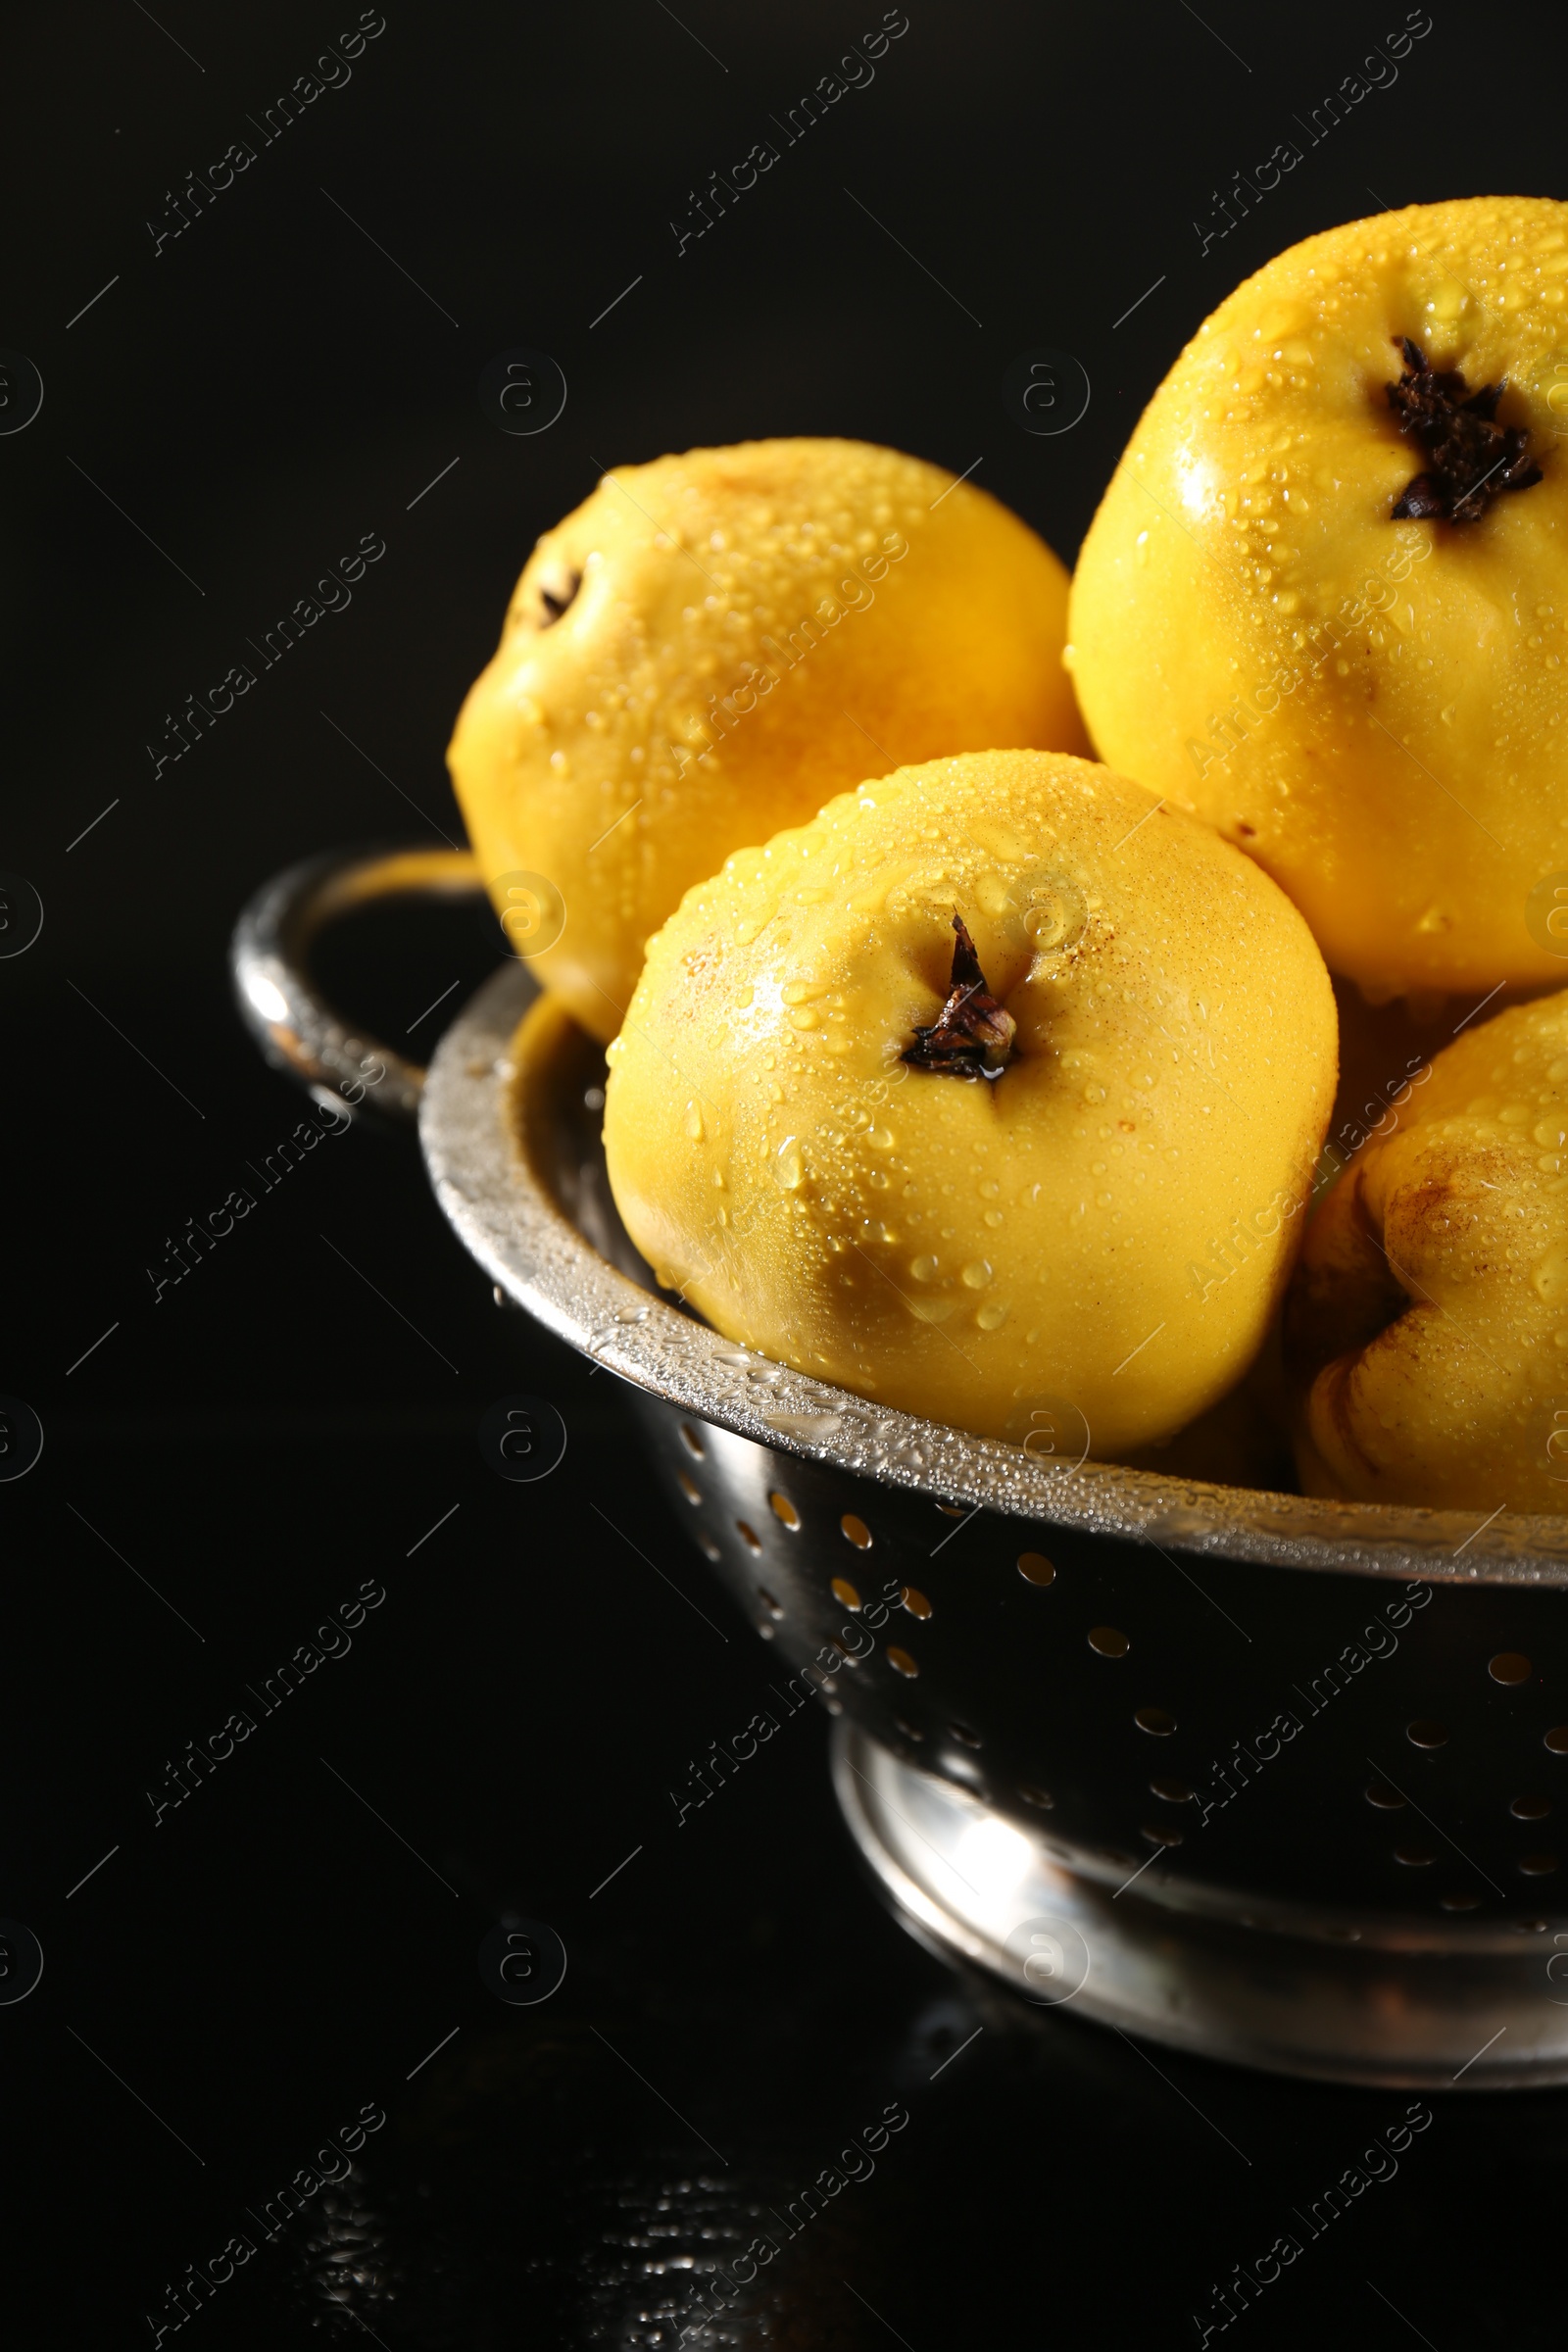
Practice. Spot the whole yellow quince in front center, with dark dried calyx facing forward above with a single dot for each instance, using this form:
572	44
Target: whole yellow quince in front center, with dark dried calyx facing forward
991	1095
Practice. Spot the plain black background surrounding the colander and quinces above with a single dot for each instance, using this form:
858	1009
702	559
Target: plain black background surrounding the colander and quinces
232	1462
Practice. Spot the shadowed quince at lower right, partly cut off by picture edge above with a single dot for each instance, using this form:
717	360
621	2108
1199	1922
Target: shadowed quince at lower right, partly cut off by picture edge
1428	1323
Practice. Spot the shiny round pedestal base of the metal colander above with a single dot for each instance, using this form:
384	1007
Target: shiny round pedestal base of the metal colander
1381	2003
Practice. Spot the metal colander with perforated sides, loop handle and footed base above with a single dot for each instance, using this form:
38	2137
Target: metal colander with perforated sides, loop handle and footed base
1273	1779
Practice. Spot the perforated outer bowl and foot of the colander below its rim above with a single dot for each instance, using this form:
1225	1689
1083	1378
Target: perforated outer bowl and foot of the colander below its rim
993	1737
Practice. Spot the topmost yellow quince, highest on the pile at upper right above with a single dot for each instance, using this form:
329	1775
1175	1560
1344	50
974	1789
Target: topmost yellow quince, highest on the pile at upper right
1325	601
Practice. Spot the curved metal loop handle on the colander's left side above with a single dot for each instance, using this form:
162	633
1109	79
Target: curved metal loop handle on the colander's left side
297	1029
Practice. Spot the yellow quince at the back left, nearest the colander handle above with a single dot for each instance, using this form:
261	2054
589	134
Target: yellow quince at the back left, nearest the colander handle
713	646
